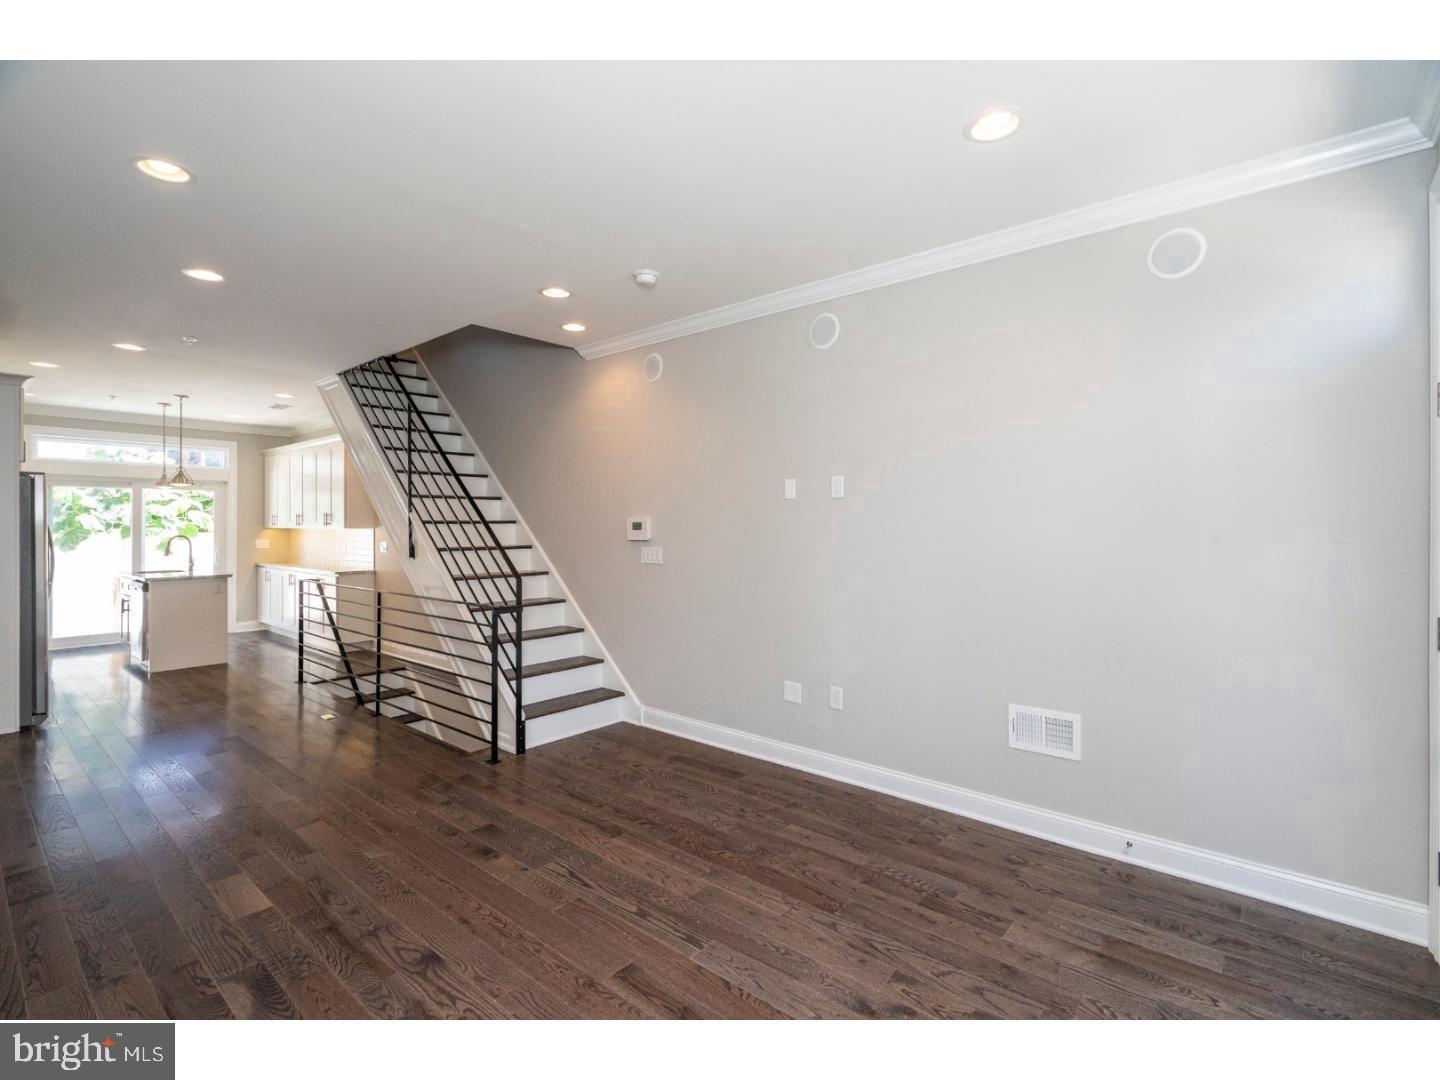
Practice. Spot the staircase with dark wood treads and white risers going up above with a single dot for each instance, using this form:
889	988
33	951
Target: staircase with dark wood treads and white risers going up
477	575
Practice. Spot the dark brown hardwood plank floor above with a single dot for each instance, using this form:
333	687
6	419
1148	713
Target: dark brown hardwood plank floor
205	845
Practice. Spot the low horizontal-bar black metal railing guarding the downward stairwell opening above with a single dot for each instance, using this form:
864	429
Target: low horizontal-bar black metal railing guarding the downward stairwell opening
378	647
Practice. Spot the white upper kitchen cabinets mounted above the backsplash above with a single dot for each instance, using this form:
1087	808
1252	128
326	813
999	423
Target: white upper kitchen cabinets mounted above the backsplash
310	486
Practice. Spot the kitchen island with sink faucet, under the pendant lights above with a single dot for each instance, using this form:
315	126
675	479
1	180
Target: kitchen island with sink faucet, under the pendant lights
178	620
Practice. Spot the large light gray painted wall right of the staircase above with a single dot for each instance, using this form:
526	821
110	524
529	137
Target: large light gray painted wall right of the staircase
1193	510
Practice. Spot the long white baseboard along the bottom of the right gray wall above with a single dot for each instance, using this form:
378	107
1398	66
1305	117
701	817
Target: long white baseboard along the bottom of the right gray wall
1387	915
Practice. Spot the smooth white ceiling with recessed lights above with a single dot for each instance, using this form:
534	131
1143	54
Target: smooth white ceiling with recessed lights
364	208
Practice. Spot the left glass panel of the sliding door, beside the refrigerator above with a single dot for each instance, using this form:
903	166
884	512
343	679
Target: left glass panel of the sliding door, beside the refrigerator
91	528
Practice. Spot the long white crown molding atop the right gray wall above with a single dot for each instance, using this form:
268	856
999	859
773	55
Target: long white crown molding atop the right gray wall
1291	166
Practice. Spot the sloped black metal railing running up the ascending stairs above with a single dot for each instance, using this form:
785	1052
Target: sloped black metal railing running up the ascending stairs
451	516
